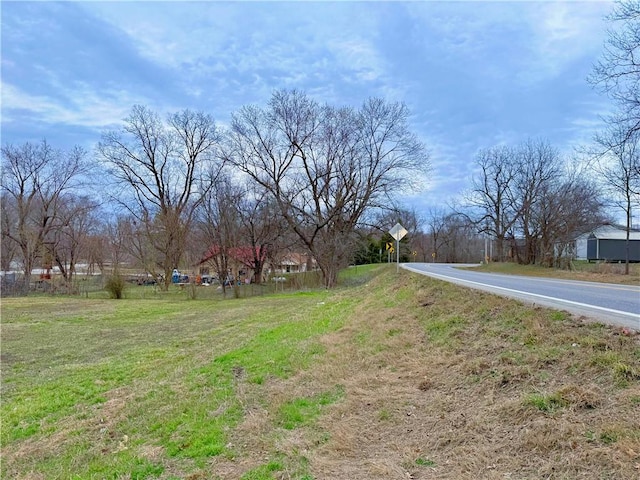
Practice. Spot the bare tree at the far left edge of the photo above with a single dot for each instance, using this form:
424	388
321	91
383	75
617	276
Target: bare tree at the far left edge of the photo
35	178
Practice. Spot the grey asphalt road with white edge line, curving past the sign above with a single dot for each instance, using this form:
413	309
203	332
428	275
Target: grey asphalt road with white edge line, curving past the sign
605	302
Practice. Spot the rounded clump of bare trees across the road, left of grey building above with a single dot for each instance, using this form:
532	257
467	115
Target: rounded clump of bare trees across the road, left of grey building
527	194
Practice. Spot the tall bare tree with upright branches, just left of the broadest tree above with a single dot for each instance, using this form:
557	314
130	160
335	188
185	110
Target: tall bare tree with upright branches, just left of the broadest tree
158	165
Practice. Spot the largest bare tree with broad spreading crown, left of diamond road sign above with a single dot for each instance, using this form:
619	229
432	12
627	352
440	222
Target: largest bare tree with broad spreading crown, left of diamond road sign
325	166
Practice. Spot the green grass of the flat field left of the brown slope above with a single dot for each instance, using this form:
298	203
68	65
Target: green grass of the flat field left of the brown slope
177	360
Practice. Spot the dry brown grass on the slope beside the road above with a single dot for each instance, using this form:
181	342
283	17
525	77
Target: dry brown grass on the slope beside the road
421	406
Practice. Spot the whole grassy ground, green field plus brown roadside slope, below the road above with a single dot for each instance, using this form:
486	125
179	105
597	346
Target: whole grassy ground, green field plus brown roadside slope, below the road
390	376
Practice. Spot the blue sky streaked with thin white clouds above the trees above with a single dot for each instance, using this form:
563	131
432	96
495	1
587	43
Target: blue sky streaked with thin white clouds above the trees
474	74
